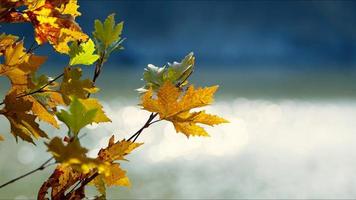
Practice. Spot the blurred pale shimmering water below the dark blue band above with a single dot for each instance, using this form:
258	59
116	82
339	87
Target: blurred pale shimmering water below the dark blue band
289	137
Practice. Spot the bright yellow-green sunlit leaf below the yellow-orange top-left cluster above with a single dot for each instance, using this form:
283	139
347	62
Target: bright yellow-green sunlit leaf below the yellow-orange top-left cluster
82	54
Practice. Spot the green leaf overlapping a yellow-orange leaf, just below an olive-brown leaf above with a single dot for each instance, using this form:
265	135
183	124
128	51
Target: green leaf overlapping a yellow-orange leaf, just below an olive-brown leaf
77	117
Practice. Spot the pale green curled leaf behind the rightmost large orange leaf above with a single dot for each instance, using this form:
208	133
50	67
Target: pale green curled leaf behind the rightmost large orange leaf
176	73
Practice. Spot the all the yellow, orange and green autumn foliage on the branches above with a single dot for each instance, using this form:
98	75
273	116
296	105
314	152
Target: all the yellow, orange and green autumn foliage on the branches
35	98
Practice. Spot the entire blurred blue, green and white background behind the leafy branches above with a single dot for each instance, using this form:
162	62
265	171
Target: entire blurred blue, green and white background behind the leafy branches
287	74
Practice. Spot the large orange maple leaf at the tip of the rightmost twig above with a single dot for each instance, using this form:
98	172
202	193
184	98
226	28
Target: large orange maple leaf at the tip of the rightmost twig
172	106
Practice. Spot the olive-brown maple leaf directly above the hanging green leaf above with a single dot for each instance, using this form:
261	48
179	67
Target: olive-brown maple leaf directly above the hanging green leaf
73	86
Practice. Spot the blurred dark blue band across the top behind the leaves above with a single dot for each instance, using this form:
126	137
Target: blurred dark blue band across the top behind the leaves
288	35
